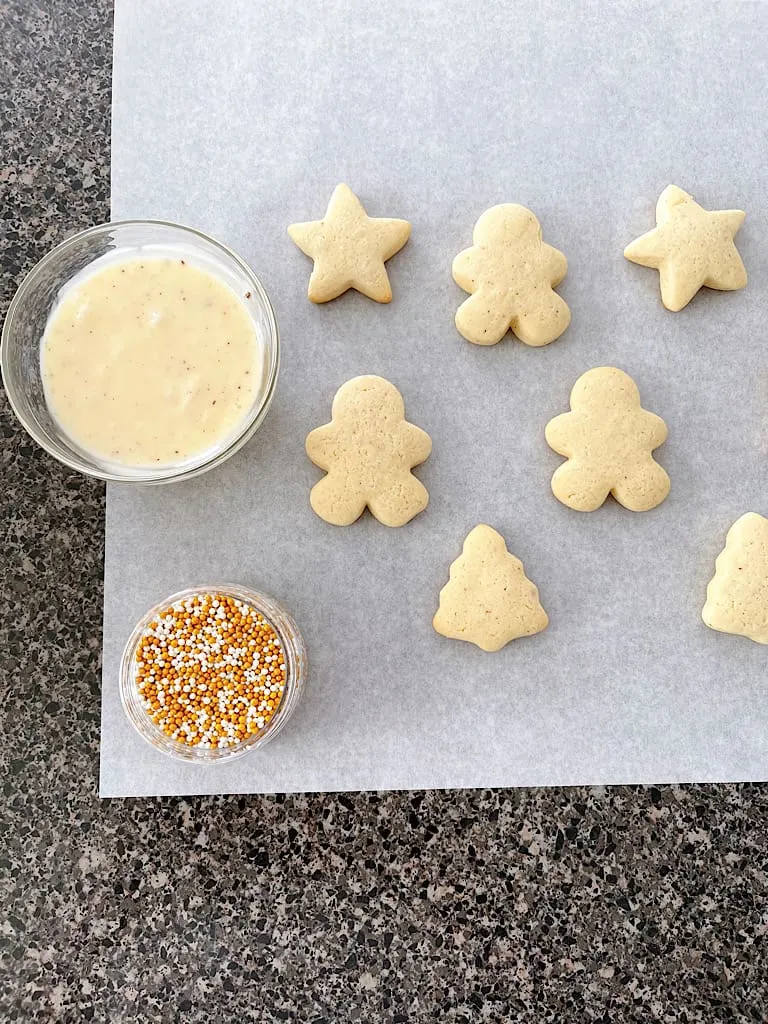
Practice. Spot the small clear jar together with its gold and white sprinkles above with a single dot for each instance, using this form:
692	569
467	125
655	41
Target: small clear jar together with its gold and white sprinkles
212	673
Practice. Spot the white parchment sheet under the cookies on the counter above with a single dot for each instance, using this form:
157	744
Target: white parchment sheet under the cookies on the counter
240	118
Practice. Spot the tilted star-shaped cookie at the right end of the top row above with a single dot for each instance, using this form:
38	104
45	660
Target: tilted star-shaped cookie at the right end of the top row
691	247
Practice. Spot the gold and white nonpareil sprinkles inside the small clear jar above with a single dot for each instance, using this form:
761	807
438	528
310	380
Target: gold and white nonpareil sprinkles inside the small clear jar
210	671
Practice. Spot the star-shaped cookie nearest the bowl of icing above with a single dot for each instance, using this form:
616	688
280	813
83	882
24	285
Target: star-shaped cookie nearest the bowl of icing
350	249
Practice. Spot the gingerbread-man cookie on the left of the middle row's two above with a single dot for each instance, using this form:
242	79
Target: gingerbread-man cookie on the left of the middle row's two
368	451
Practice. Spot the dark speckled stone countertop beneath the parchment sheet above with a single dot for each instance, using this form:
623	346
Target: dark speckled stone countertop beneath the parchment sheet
614	906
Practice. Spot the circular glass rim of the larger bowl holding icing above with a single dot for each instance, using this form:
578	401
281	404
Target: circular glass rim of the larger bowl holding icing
162	477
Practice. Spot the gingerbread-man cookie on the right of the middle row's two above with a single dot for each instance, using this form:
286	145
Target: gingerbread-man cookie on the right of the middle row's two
608	439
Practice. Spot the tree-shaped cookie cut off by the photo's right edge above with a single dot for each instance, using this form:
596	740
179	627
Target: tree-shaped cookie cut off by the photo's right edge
738	594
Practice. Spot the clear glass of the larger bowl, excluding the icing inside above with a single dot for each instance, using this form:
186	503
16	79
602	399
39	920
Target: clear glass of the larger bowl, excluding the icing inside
25	325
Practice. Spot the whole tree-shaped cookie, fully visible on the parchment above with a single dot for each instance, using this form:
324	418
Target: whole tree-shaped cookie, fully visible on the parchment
489	601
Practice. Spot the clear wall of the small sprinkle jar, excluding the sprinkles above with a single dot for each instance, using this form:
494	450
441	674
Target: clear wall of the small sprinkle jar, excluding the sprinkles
296	671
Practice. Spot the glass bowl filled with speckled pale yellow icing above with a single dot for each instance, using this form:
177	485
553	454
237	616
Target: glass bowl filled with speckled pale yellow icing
141	352
